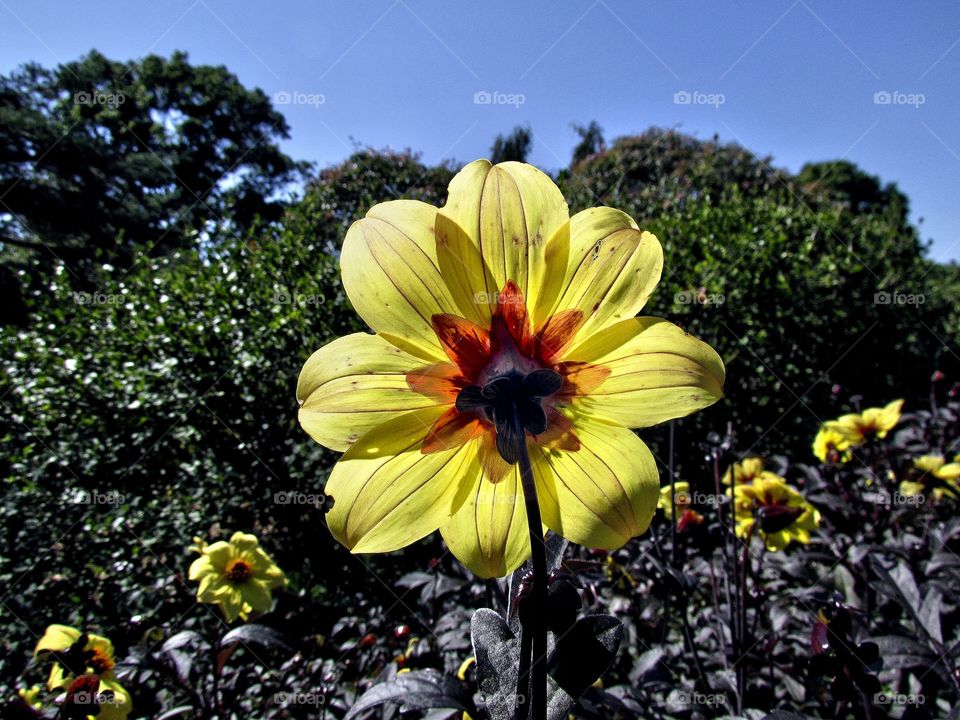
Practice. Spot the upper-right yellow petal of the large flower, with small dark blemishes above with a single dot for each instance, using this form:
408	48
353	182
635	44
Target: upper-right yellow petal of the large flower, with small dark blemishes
612	268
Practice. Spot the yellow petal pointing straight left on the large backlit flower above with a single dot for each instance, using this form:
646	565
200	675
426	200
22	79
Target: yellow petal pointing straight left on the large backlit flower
353	384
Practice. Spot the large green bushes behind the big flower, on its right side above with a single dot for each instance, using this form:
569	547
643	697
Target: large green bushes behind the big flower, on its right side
797	291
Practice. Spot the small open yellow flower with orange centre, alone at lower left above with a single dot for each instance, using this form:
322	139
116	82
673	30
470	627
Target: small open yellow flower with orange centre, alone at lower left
237	575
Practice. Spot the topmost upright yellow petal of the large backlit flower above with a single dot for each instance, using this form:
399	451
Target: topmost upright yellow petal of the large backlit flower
509	212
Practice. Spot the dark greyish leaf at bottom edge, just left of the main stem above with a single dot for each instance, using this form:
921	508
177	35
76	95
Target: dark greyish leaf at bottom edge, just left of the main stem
416	690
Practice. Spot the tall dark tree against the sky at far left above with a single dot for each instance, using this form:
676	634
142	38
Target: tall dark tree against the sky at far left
100	158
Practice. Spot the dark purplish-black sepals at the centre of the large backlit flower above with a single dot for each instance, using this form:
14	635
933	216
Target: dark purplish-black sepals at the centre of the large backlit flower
514	404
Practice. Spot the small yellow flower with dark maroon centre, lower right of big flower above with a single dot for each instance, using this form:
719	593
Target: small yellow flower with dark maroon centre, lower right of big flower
775	509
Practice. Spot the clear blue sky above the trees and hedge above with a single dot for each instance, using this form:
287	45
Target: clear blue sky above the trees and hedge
795	79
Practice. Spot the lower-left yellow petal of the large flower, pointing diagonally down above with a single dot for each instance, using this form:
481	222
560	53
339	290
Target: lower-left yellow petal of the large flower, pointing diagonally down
387	494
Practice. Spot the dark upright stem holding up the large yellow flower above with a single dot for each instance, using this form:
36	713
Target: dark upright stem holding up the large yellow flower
537	616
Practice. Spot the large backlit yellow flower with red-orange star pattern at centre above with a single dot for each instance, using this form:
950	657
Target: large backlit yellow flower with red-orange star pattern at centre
498	299
